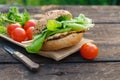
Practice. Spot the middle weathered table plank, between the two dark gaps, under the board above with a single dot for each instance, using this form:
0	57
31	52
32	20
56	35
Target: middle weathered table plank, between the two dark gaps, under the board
106	36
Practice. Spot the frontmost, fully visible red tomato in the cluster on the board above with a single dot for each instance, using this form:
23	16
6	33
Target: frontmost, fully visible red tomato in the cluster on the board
19	34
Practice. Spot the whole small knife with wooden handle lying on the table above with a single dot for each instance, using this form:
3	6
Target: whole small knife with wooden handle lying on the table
22	58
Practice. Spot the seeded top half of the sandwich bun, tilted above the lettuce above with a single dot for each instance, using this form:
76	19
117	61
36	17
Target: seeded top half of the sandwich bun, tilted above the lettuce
50	15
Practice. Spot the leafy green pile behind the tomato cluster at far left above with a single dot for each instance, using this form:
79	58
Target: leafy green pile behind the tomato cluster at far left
12	16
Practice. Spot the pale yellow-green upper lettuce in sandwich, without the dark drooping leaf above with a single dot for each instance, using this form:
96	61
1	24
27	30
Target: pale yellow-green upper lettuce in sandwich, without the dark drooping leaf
78	23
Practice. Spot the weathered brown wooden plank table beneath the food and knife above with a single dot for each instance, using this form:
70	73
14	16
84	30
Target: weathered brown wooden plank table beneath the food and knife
105	34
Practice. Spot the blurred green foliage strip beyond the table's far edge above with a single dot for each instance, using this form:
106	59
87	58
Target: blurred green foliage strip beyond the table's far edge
59	2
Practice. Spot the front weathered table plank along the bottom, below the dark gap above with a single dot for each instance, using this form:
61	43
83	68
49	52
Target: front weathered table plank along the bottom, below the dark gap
87	71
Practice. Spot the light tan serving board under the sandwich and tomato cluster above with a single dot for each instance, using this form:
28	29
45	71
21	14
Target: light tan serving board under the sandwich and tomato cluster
56	55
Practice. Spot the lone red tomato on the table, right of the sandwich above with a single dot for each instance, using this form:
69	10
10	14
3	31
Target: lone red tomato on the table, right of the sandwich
89	51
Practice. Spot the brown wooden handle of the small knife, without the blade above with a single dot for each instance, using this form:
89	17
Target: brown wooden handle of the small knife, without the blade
24	59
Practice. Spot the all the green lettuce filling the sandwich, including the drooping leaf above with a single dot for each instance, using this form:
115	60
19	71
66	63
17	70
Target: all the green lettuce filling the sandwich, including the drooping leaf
59	26
